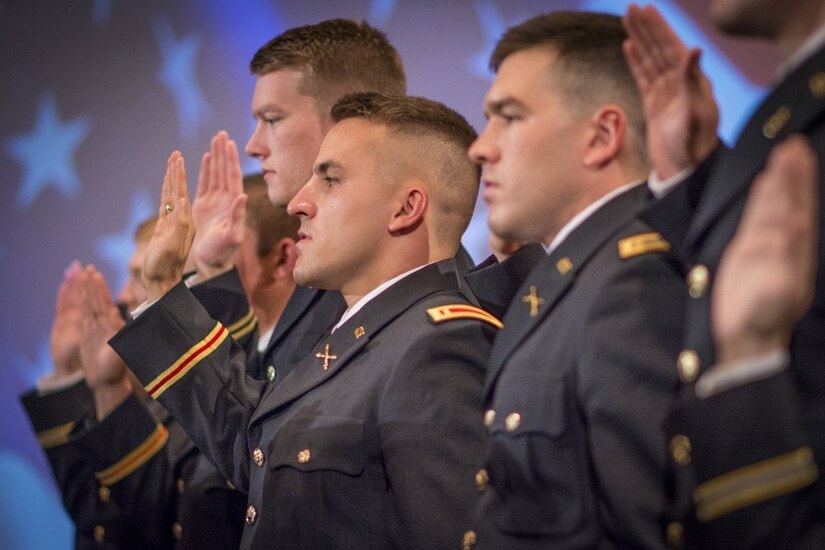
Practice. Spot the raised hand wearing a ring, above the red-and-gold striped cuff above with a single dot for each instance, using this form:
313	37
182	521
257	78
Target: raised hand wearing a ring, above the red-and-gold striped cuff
173	235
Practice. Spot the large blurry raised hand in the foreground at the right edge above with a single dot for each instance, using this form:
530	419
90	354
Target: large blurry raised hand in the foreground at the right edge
766	276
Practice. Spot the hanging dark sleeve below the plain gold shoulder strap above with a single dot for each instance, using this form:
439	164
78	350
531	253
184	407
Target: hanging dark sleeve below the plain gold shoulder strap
627	383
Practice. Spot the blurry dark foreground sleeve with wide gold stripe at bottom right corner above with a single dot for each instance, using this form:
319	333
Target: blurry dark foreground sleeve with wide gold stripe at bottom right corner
752	471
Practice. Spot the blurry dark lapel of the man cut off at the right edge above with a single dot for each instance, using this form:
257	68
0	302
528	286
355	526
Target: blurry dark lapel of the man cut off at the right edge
791	107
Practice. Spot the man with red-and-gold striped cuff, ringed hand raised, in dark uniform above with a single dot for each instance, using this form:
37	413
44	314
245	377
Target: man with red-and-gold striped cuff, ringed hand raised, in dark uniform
371	440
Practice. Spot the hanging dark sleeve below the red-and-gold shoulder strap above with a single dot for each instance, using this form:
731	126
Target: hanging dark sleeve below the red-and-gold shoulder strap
431	433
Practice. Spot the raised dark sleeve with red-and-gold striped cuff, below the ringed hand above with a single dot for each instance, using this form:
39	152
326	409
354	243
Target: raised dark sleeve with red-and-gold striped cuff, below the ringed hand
187	361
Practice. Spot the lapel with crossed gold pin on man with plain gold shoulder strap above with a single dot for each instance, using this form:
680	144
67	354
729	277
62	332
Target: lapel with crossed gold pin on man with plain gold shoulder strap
556	274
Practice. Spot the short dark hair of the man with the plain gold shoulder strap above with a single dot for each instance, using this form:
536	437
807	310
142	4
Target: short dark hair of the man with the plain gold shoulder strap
590	68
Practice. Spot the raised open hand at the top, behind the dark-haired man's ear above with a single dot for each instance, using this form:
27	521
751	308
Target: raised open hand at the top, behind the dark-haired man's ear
680	112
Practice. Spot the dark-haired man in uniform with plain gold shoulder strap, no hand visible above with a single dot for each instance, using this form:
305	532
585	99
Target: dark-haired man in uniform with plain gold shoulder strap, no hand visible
579	380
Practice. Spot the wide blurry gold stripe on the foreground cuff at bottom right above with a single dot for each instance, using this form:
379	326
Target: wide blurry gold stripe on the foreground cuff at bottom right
755	483
